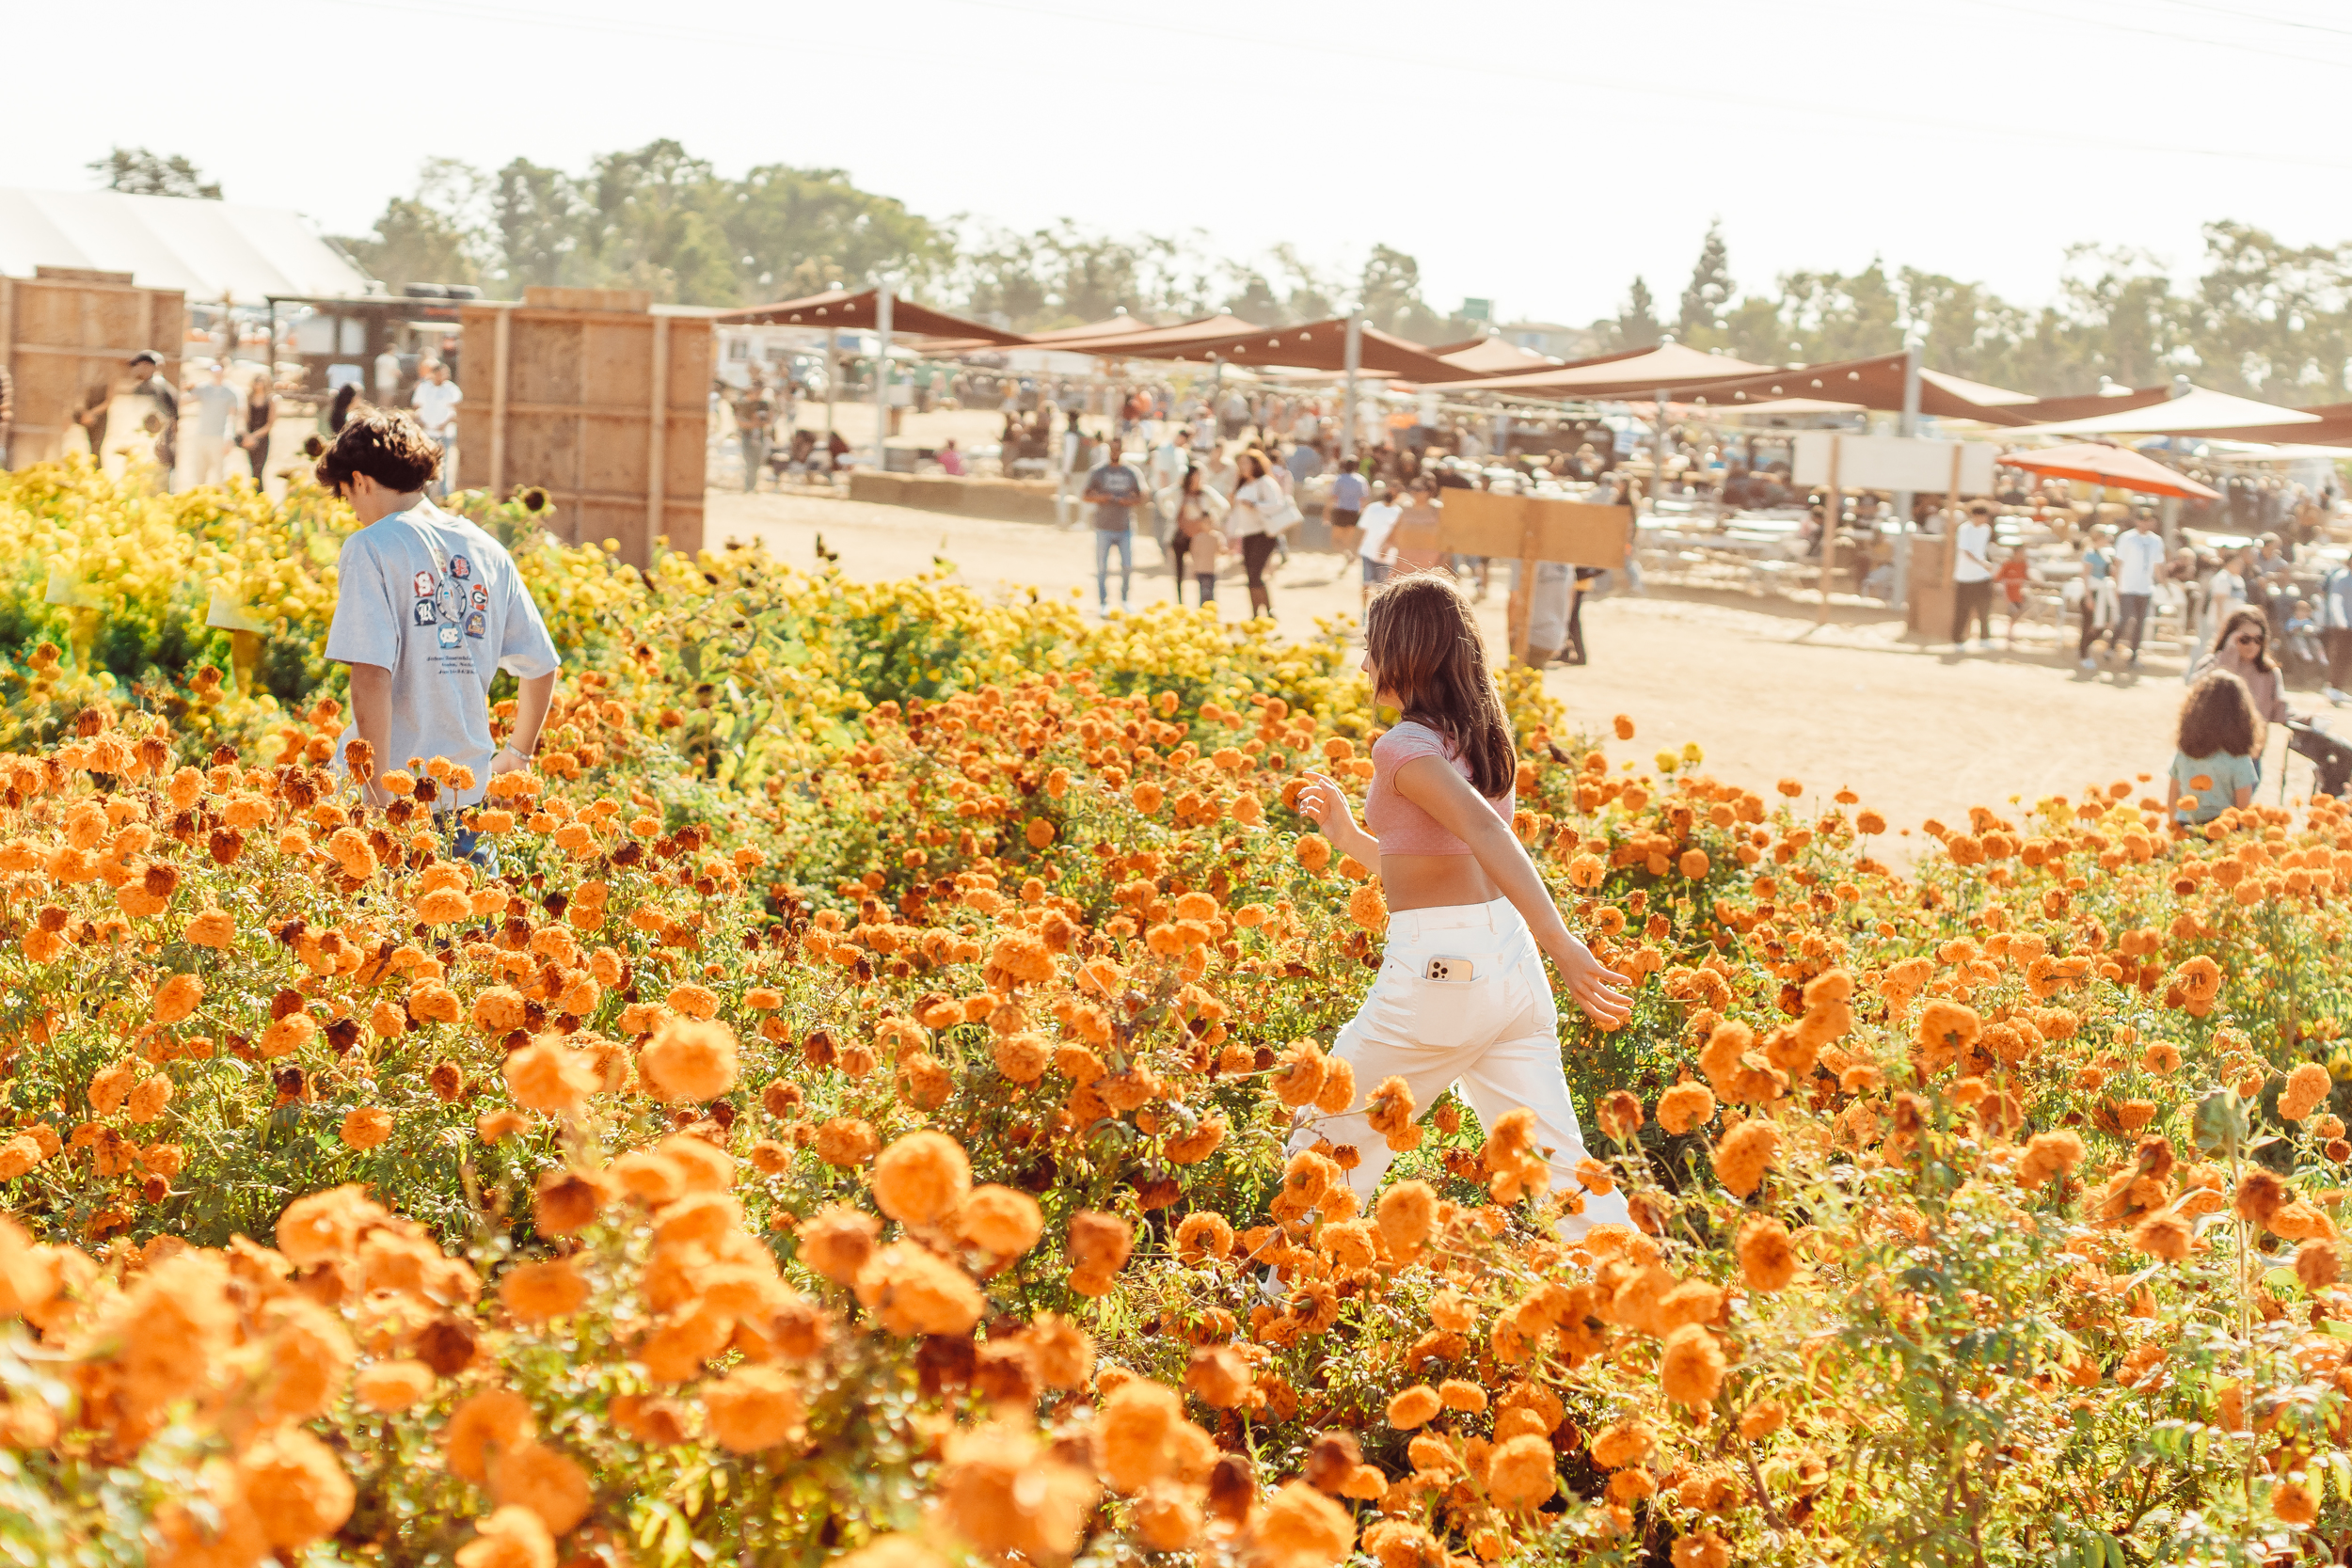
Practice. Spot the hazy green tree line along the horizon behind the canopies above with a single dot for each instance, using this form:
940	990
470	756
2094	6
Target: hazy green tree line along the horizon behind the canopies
2261	319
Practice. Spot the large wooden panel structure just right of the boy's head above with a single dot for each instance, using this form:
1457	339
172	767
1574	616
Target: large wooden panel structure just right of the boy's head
601	401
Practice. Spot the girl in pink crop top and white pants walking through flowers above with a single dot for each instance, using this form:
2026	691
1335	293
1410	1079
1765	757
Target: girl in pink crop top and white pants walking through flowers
1462	991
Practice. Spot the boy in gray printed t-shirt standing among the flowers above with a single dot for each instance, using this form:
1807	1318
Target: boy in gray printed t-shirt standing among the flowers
427	612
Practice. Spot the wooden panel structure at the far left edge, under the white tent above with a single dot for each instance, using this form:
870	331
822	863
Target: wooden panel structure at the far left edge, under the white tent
67	330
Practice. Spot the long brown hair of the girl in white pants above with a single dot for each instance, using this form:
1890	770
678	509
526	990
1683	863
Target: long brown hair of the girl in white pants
1424	648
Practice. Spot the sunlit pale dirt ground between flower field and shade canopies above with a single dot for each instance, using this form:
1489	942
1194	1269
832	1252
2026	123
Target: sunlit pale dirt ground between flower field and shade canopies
1768	697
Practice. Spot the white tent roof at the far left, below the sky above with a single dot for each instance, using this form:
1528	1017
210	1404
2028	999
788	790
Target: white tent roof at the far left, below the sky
208	250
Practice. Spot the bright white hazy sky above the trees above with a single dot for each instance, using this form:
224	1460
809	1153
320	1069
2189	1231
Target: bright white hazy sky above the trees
1532	152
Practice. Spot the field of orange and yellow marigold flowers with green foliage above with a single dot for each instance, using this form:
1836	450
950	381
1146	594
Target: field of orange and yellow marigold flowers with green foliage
848	1125
